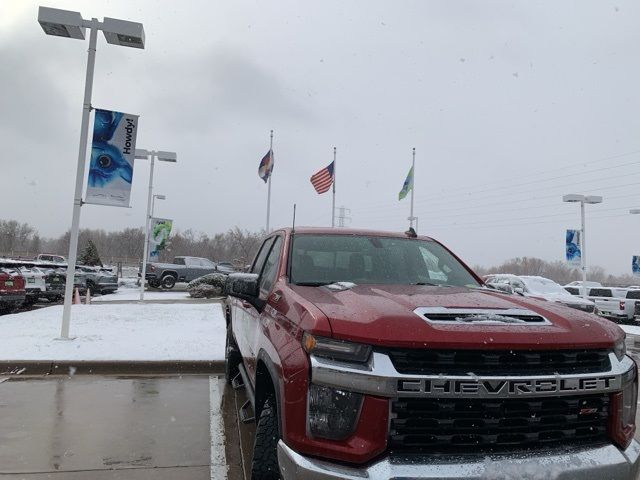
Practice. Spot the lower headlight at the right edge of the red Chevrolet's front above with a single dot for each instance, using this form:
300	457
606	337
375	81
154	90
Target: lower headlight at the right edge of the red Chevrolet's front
622	416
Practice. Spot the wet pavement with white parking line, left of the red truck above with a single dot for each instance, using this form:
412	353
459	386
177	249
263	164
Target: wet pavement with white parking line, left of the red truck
117	427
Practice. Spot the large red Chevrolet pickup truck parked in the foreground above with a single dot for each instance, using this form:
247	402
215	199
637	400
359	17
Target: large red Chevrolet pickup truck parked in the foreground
376	355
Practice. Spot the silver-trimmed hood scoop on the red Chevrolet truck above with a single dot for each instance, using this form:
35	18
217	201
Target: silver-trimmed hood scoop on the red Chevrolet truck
485	316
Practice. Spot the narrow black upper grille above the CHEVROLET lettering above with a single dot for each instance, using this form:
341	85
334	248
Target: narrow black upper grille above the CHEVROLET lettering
498	362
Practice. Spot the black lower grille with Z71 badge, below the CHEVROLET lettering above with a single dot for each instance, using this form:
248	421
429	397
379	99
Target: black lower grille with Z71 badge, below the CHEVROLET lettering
421	425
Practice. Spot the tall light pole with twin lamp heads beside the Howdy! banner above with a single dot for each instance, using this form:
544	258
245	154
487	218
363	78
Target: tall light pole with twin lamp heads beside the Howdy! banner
64	23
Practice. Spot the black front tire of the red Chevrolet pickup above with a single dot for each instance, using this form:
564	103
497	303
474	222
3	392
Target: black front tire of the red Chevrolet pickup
264	465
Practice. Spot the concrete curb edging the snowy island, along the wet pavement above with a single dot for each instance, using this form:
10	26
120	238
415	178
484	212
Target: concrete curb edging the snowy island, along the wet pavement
108	367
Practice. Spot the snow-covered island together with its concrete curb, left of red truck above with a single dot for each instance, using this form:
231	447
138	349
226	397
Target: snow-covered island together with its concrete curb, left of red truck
114	338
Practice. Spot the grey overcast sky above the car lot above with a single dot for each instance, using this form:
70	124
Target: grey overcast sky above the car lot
509	105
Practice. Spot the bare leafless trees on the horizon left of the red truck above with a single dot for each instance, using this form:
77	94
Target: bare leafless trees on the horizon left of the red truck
236	245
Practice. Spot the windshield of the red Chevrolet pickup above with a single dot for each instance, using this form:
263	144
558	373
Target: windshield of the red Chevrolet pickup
325	259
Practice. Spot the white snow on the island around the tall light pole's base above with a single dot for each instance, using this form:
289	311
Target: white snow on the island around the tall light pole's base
152	332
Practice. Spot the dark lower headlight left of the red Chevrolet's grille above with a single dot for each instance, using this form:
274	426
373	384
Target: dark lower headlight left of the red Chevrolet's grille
333	414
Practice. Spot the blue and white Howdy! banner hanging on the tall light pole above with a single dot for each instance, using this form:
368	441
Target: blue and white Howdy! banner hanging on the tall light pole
112	154
